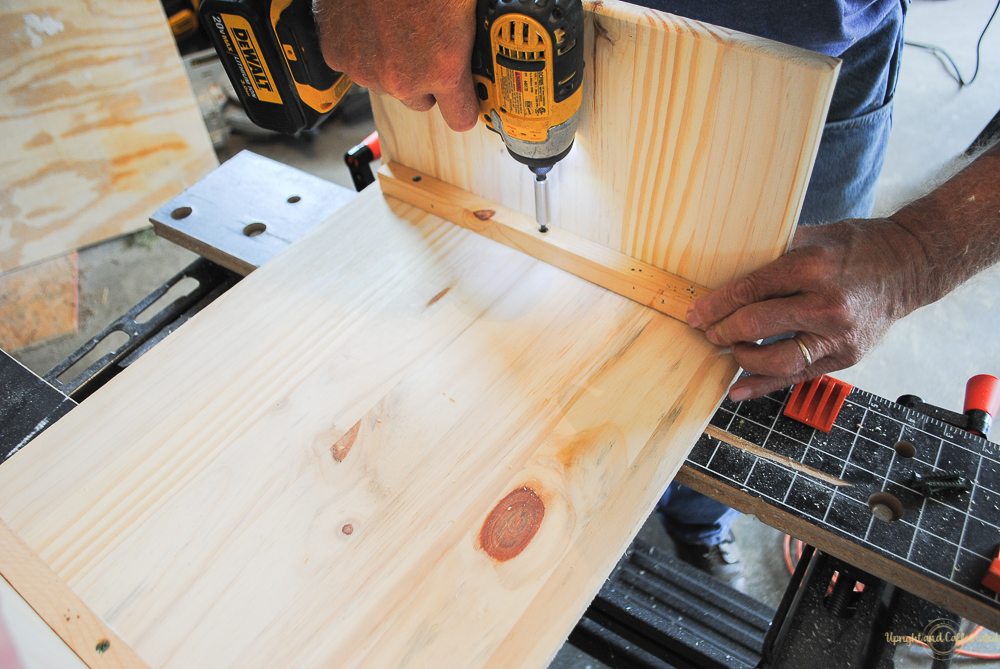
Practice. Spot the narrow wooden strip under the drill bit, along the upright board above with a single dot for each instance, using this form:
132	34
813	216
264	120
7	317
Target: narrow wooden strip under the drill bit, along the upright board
667	293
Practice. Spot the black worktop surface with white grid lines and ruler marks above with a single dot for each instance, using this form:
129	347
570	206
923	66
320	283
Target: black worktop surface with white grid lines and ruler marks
951	539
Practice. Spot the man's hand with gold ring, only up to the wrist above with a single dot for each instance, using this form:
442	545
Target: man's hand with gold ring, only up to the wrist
839	289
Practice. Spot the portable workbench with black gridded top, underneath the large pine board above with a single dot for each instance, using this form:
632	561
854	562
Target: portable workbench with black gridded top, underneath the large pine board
938	548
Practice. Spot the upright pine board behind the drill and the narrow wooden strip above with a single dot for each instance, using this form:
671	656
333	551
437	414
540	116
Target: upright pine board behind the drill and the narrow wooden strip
694	149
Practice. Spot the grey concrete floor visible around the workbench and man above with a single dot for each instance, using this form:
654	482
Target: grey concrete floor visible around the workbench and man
931	353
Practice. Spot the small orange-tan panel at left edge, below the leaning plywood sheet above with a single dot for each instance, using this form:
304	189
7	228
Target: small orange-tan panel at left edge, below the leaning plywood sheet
39	302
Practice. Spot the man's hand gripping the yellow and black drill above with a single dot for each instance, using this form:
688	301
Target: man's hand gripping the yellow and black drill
417	52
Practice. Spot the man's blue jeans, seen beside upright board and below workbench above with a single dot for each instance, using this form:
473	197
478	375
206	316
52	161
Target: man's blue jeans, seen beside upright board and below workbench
842	185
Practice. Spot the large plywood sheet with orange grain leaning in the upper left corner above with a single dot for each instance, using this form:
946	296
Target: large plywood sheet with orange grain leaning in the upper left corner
98	125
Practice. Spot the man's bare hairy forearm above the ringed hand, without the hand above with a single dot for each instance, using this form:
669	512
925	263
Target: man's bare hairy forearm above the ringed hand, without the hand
956	229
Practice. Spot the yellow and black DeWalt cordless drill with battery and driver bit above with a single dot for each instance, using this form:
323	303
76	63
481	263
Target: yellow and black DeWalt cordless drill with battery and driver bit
527	65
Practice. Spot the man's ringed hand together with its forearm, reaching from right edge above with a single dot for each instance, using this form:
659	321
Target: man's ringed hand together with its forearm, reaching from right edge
842	285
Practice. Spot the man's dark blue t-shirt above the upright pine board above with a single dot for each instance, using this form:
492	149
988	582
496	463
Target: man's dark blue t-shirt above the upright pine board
827	26
